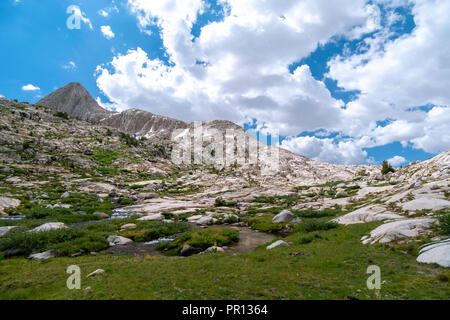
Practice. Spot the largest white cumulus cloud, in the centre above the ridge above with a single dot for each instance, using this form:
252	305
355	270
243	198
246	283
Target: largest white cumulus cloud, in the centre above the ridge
237	68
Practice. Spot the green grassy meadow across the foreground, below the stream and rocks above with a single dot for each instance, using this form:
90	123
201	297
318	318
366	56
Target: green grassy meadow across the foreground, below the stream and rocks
335	269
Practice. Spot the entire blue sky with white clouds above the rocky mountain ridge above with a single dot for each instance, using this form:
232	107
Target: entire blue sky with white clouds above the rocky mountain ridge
329	102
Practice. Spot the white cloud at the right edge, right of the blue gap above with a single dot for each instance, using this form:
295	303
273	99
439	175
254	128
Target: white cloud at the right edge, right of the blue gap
397	75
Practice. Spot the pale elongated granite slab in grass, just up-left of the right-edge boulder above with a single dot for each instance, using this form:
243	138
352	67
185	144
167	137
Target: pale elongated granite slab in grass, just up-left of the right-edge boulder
400	230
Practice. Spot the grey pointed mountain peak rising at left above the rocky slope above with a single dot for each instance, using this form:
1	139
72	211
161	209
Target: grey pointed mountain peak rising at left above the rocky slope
76	101
